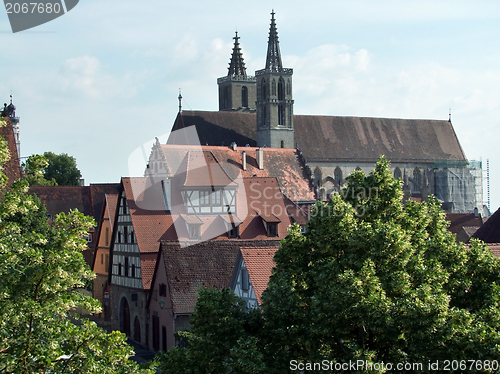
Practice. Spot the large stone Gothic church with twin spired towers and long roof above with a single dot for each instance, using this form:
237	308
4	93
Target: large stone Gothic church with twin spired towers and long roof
257	111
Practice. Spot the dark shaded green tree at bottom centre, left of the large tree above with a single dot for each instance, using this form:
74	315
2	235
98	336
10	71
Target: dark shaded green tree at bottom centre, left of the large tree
222	341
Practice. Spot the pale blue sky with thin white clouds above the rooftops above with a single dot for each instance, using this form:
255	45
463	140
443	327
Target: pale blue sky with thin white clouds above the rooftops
102	81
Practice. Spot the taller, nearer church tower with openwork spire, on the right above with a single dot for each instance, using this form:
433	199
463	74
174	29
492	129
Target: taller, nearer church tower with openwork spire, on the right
274	98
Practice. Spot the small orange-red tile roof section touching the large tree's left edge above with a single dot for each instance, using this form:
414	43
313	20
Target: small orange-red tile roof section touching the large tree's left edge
259	263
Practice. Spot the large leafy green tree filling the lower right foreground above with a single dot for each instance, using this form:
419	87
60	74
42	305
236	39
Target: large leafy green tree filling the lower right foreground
379	281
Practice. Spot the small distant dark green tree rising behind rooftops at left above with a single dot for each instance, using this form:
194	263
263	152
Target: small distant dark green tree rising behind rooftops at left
62	168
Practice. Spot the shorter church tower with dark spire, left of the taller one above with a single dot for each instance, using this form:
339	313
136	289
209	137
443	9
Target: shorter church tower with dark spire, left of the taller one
237	90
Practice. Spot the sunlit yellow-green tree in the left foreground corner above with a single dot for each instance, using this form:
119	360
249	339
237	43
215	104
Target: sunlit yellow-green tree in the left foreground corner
41	270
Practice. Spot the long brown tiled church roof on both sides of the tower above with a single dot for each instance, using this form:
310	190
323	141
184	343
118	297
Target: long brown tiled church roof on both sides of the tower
329	138
